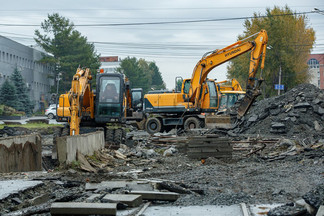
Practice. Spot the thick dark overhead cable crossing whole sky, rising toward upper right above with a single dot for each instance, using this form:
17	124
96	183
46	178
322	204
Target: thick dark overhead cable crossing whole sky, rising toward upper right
165	22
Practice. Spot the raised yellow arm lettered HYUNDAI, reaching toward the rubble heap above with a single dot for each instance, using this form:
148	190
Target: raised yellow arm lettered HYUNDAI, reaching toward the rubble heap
213	59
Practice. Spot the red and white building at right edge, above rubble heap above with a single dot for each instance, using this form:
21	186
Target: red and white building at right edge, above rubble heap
316	69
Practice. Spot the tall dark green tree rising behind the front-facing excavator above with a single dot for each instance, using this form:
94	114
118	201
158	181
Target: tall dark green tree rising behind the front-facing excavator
69	48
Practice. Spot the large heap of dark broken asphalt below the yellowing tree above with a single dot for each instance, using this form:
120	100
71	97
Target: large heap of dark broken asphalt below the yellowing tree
298	113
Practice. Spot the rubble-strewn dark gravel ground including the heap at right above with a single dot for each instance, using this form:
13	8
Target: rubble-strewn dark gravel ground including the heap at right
277	158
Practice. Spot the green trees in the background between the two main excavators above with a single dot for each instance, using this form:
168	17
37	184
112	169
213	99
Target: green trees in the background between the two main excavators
141	73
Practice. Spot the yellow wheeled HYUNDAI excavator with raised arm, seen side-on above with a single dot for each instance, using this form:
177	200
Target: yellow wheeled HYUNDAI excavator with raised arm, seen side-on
199	94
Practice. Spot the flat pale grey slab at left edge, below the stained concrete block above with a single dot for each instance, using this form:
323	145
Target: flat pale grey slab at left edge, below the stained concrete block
16	186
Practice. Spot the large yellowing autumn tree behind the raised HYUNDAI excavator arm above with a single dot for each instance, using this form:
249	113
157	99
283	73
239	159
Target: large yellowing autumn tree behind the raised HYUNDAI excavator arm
290	42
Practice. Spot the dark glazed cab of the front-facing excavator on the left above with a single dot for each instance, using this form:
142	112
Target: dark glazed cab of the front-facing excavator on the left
109	98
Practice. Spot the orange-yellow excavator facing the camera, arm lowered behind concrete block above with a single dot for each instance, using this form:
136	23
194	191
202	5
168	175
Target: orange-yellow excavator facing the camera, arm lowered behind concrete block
111	102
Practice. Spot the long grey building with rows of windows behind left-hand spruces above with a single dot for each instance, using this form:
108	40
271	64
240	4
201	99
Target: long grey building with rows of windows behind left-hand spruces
38	76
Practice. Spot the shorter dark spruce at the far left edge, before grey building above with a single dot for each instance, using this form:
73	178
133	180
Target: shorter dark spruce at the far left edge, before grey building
8	94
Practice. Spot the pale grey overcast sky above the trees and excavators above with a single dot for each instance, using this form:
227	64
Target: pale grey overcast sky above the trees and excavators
175	47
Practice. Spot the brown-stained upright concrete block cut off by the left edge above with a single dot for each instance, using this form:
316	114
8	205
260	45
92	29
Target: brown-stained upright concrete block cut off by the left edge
21	153
